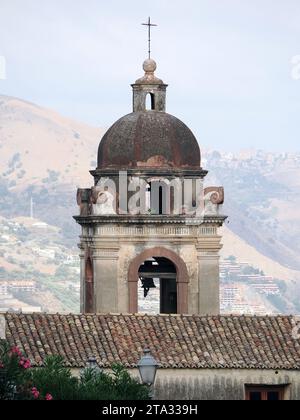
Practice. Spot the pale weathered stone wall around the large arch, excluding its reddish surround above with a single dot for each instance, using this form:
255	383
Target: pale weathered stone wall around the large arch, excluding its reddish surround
114	247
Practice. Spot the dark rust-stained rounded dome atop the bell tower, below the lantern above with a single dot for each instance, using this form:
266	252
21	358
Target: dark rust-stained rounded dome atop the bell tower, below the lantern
149	139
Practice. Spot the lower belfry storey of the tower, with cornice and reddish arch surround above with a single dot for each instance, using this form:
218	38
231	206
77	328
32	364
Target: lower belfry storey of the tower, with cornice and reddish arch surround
118	250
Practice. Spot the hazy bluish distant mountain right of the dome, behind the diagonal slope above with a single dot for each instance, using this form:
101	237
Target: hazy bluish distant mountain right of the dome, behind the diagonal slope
262	200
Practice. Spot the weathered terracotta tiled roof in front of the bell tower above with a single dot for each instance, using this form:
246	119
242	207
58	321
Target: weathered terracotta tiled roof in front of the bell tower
175	341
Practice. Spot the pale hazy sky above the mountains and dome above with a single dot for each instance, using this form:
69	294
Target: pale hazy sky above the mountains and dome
227	62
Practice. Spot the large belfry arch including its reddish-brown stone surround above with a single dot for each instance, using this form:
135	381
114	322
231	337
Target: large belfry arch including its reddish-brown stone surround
167	266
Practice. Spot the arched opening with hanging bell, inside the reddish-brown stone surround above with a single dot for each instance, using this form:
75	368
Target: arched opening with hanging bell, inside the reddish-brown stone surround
157	286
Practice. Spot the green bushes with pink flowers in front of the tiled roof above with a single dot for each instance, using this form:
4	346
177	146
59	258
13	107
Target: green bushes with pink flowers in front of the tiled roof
18	381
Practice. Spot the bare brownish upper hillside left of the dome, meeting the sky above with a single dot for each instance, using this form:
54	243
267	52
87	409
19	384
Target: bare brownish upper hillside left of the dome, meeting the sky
43	157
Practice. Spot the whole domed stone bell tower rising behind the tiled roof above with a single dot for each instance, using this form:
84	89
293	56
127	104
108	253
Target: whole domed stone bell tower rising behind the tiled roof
148	215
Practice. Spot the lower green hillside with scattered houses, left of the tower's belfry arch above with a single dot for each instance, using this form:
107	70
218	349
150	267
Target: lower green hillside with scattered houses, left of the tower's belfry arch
32	252
